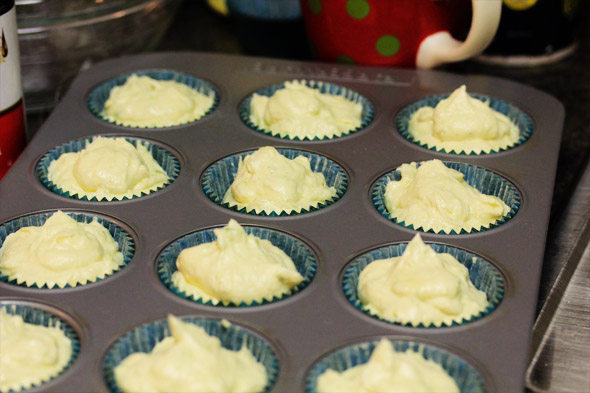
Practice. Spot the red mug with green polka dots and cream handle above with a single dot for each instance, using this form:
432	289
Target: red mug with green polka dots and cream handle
404	33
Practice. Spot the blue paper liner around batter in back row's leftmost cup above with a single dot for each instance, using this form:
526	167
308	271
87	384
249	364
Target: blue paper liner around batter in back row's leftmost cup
99	95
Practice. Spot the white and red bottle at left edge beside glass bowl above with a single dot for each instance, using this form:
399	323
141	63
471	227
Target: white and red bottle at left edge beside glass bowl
12	116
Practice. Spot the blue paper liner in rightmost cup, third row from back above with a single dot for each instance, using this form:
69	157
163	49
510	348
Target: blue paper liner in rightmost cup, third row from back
482	274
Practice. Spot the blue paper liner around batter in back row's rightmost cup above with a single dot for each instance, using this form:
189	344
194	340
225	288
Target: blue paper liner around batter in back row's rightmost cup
516	115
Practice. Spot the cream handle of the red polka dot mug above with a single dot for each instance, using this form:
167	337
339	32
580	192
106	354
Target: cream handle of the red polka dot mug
441	47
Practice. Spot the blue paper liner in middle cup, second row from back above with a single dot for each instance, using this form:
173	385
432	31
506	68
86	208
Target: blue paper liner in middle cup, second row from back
218	178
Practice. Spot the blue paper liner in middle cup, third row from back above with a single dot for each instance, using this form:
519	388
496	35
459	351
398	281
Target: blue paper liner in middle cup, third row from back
301	255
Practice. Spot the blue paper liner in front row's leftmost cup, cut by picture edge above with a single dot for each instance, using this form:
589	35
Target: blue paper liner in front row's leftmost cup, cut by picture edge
41	317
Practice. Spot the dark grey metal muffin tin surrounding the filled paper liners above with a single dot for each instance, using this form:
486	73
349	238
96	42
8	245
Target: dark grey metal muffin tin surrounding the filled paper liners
318	321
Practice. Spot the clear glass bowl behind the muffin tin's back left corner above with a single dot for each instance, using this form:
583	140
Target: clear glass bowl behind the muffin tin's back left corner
58	39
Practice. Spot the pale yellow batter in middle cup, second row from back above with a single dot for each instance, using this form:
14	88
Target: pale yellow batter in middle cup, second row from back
268	181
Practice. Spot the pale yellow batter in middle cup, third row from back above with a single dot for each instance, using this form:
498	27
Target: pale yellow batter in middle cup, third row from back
235	268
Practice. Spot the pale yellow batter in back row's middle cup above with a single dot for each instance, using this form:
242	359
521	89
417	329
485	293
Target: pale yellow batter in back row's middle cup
300	111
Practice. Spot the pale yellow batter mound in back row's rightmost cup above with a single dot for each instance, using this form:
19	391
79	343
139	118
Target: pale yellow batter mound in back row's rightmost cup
461	123
